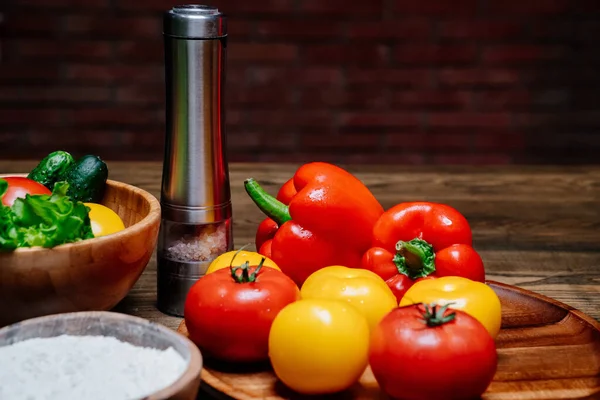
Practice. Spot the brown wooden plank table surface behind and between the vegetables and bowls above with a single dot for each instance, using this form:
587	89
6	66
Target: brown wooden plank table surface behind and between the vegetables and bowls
535	227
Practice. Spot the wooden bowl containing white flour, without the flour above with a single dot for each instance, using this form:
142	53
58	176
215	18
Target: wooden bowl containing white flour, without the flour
126	328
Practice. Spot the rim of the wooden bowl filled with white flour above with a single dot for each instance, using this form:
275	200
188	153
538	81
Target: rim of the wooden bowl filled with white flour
191	372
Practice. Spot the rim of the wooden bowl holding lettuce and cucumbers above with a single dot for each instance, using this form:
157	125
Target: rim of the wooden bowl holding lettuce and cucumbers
153	216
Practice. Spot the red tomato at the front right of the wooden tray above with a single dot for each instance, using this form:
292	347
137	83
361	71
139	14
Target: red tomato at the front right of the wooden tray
411	360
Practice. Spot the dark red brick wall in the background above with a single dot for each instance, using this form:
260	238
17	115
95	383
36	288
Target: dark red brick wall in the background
394	81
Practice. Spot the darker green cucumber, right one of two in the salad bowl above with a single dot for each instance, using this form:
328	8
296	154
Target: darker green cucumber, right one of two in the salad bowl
87	179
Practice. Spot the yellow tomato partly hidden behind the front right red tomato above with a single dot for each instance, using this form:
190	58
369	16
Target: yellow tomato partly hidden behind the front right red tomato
475	298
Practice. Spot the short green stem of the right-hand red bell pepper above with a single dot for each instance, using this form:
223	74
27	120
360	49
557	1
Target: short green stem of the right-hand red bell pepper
415	258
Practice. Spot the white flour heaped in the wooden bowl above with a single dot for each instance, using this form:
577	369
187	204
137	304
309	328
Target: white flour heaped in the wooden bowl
85	367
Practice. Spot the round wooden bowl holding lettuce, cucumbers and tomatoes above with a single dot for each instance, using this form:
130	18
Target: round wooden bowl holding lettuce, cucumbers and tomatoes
89	275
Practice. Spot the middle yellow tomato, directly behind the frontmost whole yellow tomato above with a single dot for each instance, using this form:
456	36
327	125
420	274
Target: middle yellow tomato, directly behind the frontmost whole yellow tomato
362	288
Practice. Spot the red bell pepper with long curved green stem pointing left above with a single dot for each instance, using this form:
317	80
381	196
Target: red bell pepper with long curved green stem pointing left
328	222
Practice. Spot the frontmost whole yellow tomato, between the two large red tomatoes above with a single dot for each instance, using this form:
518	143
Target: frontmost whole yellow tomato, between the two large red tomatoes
319	346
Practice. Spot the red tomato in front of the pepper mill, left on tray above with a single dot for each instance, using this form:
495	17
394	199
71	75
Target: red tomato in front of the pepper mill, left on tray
230	318
